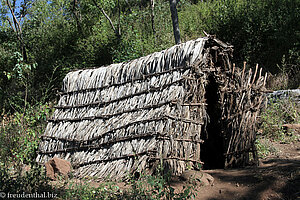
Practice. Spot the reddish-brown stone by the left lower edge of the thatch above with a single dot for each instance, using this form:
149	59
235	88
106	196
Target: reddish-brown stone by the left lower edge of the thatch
57	167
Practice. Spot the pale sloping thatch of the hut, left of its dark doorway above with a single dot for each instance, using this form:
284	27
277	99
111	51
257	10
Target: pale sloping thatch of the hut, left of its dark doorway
125	117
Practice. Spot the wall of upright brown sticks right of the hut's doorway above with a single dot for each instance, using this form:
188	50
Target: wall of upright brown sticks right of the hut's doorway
241	101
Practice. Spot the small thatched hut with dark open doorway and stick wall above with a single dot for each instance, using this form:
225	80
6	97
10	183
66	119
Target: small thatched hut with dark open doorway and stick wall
185	107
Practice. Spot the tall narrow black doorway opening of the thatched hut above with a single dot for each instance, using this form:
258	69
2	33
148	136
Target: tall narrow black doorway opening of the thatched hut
212	149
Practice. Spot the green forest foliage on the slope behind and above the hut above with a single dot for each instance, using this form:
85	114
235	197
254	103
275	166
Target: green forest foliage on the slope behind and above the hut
60	36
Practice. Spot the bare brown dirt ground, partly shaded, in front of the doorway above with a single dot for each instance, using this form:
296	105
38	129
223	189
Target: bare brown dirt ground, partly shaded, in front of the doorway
277	177
